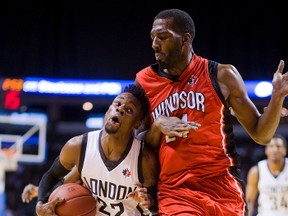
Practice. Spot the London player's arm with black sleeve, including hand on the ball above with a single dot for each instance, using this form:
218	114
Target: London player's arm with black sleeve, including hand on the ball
67	159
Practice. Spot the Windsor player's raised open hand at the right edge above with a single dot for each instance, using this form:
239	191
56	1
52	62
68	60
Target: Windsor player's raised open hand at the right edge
280	81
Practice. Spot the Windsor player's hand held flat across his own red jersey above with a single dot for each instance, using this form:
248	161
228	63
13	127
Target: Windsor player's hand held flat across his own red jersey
173	126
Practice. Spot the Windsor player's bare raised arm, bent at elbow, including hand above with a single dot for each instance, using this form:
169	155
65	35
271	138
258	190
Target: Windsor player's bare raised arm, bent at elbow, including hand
261	128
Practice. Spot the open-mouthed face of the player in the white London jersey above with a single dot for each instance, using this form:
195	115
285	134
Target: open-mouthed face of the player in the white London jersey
123	114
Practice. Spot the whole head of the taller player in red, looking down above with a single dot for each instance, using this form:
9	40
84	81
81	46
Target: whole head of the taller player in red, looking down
172	34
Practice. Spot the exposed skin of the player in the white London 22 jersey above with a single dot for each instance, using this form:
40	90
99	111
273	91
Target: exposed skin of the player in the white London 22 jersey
122	117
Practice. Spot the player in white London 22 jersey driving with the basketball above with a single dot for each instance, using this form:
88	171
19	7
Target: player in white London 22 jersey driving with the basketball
110	156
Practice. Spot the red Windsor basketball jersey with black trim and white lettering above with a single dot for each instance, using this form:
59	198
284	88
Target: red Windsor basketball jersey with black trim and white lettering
204	153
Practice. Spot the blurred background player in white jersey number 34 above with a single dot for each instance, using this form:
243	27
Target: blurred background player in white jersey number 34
269	180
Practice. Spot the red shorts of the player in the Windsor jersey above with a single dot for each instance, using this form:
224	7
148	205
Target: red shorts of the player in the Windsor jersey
217	196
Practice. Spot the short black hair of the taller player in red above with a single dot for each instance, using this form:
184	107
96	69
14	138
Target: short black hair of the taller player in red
182	21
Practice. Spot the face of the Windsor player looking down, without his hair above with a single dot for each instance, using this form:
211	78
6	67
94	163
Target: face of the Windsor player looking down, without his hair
166	43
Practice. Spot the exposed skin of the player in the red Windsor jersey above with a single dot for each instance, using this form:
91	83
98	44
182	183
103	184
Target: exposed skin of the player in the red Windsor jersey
174	51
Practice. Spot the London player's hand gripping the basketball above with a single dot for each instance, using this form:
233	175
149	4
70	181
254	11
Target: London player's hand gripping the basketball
48	209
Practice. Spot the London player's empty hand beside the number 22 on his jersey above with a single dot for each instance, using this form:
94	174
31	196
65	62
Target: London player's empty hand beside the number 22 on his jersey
141	196
